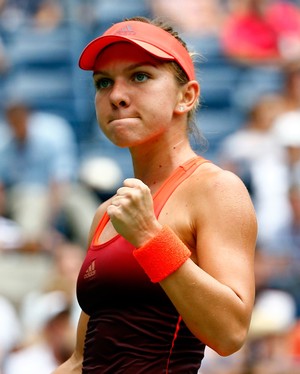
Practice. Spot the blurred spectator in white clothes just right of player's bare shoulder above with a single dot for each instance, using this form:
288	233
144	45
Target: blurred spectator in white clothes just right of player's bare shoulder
253	153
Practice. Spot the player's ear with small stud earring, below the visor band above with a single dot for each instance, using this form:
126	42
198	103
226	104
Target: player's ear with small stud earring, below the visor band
188	97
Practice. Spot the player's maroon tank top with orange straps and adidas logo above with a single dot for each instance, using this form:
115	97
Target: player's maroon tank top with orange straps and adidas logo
133	327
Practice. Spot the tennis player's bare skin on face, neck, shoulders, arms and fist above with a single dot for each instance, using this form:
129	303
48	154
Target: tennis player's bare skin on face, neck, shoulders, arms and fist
139	105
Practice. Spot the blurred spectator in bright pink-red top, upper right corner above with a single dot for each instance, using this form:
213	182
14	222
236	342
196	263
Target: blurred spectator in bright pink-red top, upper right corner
262	31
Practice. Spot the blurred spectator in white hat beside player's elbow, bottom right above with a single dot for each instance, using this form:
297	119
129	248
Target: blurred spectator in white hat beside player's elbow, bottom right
273	321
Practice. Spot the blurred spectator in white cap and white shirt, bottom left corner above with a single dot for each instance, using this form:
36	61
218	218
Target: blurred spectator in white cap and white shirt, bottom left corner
53	340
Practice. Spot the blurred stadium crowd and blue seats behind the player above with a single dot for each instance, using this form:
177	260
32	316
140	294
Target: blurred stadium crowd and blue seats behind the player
55	166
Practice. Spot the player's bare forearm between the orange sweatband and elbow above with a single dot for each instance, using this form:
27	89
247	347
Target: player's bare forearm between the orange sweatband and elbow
211	310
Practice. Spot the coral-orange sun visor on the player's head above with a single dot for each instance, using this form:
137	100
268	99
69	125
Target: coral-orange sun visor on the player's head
152	39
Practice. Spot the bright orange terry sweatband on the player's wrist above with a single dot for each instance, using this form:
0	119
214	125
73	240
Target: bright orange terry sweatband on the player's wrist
162	255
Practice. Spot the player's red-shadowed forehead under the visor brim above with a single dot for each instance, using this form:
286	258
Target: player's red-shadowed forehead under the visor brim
124	52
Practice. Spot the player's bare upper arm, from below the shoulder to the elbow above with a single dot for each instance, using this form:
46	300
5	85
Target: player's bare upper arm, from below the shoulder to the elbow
226	234
